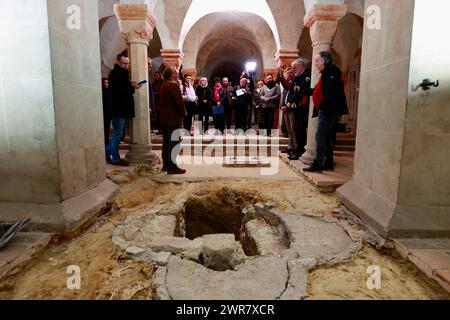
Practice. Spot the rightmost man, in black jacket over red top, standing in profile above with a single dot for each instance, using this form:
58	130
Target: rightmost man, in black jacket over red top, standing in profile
329	103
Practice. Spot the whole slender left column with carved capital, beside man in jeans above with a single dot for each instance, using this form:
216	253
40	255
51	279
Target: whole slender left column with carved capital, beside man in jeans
136	23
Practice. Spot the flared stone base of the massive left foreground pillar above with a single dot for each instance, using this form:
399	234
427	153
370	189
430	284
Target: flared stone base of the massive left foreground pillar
66	218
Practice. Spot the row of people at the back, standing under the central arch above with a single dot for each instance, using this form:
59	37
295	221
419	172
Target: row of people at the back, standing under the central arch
227	104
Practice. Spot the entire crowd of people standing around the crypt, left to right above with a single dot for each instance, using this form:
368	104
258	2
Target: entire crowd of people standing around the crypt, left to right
174	102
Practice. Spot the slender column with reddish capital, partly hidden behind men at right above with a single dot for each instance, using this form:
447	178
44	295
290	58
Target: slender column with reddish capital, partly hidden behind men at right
322	20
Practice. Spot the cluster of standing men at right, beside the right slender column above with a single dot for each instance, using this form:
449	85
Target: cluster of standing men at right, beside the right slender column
329	102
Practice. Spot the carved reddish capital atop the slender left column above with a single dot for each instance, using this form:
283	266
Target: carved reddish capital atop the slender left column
136	22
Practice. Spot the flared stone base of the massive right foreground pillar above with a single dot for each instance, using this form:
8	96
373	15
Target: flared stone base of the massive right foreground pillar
392	220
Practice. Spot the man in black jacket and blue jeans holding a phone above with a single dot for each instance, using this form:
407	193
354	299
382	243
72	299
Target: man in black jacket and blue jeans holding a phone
122	106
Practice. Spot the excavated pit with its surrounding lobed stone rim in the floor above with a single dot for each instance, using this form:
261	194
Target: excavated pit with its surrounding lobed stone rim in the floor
202	242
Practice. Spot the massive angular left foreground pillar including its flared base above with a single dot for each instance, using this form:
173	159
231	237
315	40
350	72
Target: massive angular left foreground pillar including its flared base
52	150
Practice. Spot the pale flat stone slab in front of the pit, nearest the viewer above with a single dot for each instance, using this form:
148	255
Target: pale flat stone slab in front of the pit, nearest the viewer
254	280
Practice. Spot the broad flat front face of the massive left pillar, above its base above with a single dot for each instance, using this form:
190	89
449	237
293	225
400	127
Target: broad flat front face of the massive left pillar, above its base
29	163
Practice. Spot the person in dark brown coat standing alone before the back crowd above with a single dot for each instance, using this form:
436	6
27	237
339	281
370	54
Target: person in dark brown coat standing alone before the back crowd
171	119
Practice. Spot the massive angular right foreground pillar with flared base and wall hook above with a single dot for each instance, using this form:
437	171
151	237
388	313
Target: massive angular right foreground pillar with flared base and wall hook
401	176
